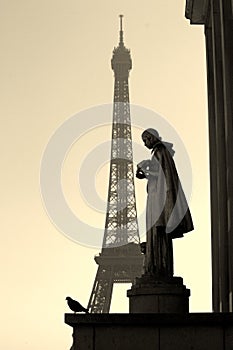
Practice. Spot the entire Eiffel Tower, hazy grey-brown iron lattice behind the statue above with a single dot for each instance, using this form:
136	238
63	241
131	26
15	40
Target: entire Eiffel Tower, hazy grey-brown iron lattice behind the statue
120	260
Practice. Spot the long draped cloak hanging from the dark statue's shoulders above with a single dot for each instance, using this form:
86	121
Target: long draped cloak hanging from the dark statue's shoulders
166	202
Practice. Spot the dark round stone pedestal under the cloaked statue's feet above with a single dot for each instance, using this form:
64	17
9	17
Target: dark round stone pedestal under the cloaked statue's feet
150	295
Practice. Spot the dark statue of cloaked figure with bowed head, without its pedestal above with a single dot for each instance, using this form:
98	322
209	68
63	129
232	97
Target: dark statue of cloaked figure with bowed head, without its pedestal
167	213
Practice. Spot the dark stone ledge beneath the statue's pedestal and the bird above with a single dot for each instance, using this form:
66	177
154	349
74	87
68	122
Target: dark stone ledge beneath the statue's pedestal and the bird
151	331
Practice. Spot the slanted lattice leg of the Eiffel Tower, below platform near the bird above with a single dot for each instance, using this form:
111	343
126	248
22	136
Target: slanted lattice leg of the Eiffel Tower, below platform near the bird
100	298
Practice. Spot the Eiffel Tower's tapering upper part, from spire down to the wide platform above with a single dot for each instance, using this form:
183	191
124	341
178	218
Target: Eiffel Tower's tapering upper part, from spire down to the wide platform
121	225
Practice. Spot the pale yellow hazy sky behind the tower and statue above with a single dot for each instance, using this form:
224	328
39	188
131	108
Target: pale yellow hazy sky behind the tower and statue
55	62
